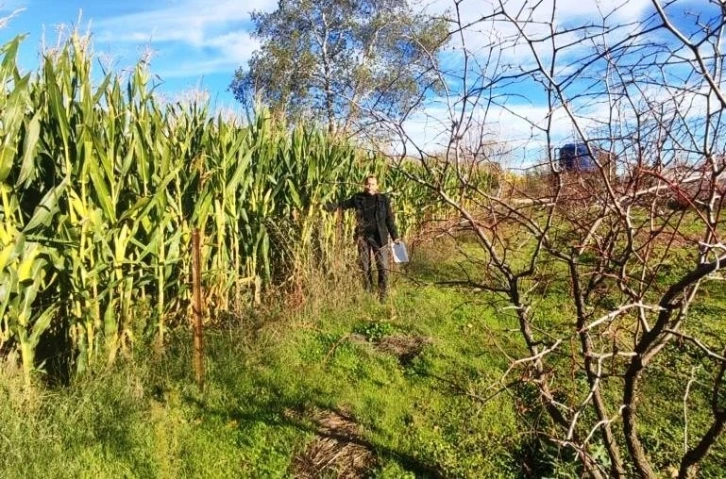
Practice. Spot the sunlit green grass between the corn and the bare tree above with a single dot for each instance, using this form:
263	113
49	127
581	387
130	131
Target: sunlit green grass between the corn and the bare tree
275	380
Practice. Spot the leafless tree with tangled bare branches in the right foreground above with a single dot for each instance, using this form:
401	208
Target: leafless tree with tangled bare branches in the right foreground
633	236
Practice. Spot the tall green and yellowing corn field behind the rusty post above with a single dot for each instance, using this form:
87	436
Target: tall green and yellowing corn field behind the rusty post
101	185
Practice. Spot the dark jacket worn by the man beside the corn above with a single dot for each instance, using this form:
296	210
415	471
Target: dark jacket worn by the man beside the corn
375	220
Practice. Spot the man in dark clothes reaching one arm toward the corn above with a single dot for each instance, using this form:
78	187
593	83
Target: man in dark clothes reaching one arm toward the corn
375	222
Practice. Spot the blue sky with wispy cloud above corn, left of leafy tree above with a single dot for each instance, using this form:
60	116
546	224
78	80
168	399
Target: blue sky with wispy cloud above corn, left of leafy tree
196	44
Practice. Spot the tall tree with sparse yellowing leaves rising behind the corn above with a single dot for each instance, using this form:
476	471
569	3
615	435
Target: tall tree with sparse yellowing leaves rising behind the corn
347	64
